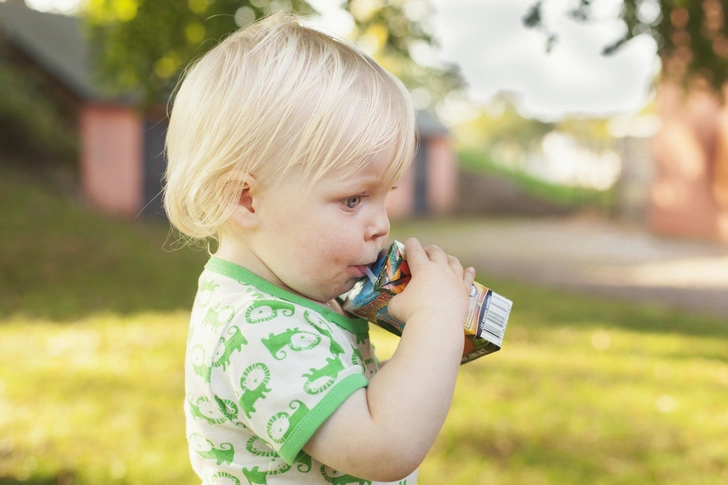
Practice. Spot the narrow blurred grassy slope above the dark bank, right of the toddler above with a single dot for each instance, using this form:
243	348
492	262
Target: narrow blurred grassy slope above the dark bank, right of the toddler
564	195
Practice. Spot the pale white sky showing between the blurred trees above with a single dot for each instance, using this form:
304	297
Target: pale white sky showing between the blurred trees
496	53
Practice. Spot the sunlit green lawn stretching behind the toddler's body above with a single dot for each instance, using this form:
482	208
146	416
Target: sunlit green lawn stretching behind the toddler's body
93	317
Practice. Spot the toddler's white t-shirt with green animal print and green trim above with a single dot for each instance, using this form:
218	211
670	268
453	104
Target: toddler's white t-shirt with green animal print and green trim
264	369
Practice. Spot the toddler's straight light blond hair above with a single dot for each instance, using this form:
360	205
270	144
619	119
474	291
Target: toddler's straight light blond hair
271	97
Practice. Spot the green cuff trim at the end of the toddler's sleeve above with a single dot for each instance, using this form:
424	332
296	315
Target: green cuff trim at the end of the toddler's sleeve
320	413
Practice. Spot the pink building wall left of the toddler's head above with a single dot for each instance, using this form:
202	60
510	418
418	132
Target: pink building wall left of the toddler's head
112	158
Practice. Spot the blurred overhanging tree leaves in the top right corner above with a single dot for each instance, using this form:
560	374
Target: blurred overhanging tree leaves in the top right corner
691	35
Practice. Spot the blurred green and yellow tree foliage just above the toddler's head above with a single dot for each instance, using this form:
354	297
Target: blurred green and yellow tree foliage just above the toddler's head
143	45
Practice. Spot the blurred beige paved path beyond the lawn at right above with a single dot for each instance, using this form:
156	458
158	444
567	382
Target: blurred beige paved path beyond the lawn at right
594	257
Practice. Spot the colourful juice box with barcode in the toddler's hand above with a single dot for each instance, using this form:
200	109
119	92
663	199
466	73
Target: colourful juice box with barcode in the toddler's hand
484	326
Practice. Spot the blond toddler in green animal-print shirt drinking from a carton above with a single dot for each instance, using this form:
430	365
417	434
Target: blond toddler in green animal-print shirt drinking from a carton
283	144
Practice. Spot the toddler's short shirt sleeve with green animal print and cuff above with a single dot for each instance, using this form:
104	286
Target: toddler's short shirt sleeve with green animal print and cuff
292	372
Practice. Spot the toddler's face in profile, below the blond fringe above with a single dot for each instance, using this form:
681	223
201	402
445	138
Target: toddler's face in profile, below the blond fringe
317	241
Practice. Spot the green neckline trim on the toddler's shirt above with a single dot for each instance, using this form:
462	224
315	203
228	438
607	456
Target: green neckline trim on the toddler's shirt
232	270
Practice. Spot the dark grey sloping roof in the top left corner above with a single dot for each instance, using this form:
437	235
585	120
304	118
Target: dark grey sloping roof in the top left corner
55	42
